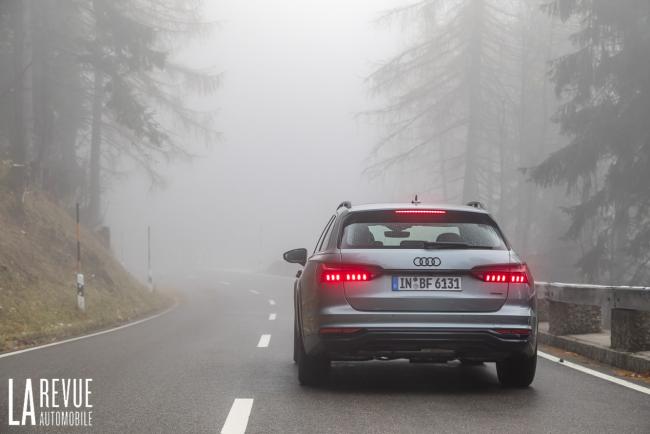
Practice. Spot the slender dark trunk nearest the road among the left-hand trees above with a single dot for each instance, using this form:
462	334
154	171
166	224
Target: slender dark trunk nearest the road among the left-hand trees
94	202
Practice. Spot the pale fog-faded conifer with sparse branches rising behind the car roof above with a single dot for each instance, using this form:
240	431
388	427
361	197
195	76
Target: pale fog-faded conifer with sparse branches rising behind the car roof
447	92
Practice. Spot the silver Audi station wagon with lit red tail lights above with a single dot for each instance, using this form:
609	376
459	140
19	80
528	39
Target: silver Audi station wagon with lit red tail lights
423	282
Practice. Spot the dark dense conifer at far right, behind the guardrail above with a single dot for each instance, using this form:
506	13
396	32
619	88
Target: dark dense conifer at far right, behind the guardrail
606	85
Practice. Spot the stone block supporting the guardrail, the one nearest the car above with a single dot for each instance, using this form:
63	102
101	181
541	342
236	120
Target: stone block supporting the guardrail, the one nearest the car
572	319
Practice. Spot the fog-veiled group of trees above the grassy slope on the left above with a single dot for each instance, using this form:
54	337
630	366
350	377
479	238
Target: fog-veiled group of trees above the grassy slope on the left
89	84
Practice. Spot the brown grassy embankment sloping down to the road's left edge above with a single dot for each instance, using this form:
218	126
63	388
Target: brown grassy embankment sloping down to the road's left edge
37	278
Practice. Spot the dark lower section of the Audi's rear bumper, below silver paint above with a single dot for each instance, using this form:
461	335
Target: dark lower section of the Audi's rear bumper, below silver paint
424	344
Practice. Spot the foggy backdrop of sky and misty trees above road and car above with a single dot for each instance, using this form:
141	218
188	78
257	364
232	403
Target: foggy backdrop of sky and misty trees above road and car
316	102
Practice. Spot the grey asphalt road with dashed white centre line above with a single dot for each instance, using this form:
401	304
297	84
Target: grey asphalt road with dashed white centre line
182	372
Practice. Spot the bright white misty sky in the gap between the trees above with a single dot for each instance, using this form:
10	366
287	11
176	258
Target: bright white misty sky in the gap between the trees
292	148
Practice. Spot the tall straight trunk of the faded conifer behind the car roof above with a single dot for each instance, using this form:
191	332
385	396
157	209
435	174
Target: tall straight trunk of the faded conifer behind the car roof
470	179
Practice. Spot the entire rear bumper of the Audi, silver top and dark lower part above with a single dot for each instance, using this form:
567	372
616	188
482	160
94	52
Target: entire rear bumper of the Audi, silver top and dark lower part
421	336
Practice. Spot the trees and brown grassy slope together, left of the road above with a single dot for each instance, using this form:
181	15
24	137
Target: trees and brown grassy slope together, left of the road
89	90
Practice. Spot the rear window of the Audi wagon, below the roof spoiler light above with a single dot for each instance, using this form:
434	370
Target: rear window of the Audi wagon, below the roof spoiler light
390	230
